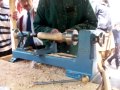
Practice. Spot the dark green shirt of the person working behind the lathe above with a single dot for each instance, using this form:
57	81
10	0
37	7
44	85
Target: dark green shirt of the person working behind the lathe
64	14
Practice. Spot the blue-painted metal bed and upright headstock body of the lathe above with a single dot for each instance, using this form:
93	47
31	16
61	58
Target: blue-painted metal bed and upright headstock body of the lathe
77	67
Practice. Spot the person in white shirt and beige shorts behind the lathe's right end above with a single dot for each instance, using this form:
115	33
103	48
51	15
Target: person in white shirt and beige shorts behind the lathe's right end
102	11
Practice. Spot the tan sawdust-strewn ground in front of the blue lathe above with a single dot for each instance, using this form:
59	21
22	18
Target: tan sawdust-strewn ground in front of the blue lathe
21	75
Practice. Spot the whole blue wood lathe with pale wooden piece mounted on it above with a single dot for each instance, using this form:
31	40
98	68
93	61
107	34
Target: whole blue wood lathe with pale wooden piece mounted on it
81	65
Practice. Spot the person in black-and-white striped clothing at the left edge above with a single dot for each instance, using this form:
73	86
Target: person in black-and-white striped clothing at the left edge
5	37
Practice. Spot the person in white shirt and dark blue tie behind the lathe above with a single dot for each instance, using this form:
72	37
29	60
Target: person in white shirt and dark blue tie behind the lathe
25	22
